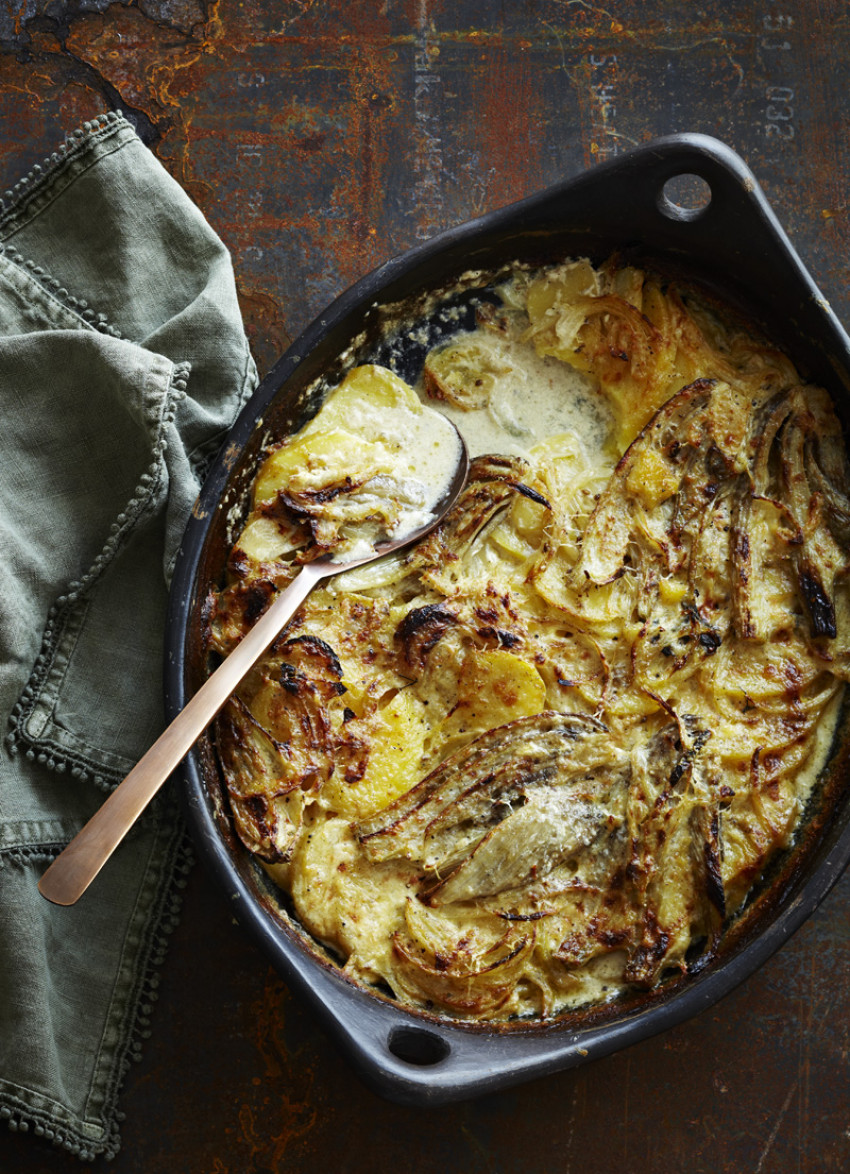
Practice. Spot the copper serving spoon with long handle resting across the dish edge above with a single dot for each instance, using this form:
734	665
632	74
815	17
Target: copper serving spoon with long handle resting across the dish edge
76	868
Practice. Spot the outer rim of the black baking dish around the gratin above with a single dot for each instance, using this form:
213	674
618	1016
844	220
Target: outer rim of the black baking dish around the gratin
446	1061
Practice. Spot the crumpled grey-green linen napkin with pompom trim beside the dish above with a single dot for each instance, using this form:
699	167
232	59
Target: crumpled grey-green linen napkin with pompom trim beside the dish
123	361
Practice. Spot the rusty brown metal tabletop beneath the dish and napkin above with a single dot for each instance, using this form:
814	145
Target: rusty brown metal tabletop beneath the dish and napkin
321	138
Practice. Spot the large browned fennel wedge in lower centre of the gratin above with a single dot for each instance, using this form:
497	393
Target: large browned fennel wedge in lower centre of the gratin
517	801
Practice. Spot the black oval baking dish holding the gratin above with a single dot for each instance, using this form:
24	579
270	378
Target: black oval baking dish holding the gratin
734	245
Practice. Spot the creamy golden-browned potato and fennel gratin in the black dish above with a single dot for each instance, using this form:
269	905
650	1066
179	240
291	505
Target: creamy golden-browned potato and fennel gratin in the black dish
544	755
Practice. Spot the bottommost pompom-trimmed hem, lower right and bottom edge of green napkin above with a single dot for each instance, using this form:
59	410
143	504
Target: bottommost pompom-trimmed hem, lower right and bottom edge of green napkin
71	1136
